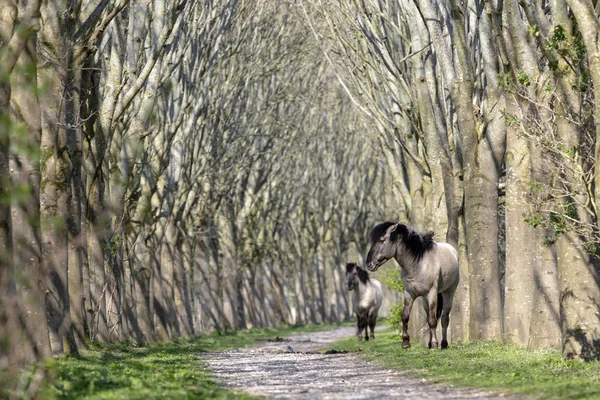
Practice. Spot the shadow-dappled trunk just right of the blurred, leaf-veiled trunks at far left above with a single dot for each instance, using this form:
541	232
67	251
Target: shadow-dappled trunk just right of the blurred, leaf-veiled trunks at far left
55	63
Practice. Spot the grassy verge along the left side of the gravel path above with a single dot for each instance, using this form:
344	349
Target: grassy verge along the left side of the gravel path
162	371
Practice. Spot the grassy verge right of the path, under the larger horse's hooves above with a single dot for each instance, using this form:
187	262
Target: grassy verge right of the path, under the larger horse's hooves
488	365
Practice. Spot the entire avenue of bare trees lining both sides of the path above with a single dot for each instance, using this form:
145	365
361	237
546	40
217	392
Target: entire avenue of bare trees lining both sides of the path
169	168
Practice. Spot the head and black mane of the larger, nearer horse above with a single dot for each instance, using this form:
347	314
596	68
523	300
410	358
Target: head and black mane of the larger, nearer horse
386	237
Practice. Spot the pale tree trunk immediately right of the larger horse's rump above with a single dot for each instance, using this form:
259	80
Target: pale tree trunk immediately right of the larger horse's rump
481	175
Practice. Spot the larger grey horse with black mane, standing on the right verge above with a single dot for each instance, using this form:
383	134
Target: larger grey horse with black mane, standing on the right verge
428	269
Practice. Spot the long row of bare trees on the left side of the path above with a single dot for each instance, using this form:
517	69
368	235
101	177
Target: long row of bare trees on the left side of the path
171	168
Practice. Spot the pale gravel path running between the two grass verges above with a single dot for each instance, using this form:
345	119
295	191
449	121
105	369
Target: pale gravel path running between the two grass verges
272	370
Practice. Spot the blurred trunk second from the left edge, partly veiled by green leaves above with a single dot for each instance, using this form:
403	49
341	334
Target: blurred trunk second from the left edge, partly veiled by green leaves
24	168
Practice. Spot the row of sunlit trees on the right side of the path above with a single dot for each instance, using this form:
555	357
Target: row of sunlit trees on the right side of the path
485	111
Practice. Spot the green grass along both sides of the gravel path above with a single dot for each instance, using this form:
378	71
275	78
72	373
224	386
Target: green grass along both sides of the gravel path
174	371
